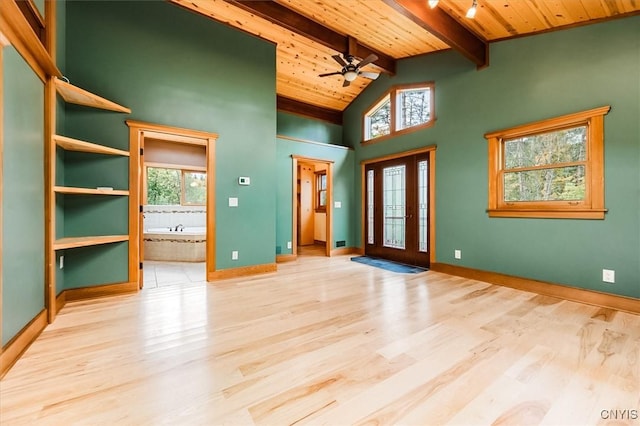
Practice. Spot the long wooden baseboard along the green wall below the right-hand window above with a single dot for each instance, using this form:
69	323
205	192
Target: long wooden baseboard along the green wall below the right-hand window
589	297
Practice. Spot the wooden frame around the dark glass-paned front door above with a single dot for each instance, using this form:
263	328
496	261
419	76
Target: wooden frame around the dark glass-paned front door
431	151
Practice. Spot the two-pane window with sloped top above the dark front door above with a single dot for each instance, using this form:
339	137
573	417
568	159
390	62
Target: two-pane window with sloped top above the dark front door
402	109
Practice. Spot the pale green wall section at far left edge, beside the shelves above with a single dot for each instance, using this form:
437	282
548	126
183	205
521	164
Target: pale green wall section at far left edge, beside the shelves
22	196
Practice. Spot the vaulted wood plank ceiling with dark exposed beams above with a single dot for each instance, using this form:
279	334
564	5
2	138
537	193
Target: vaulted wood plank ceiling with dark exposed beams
309	32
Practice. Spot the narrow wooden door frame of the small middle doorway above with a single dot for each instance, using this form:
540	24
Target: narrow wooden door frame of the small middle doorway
329	214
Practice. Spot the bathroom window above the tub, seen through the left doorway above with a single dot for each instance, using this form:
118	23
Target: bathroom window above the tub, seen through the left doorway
175	186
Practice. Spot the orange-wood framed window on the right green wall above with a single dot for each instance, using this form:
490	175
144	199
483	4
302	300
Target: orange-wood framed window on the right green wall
552	168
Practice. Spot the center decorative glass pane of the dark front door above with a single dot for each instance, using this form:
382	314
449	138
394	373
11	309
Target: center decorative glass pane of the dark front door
394	206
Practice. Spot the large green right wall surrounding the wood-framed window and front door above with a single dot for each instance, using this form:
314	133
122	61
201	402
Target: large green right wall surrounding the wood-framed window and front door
529	79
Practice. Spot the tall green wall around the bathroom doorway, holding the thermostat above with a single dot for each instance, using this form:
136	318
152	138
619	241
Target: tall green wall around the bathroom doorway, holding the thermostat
177	68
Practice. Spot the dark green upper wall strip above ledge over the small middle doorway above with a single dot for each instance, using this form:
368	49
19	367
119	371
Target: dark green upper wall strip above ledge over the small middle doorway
299	127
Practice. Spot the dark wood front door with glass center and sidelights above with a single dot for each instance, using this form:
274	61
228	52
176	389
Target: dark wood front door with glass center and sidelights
397	209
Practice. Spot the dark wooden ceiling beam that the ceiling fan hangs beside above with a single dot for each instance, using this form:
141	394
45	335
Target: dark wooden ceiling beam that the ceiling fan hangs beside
293	21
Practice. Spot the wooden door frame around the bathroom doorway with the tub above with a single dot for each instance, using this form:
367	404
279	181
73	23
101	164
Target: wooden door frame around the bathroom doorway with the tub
138	131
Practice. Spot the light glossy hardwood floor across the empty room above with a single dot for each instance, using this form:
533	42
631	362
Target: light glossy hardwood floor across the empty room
329	341
